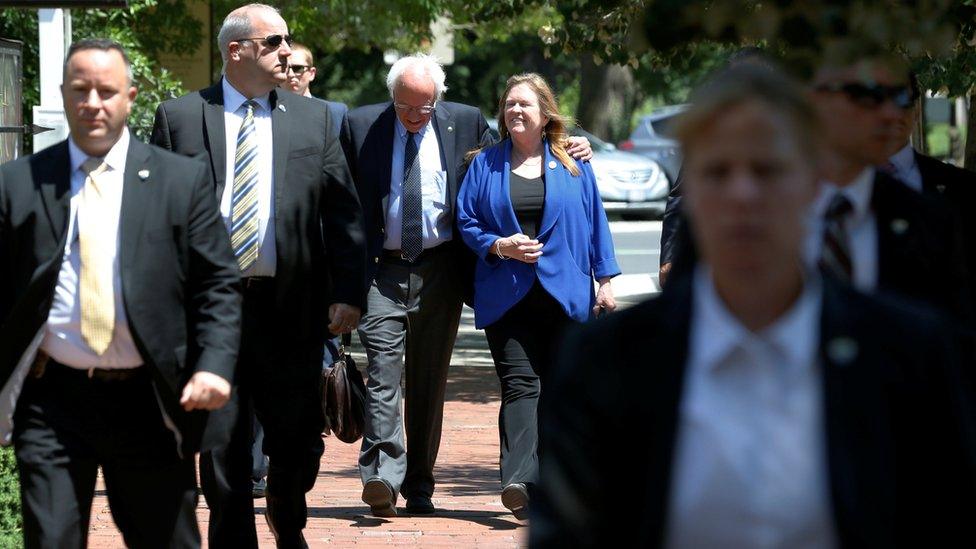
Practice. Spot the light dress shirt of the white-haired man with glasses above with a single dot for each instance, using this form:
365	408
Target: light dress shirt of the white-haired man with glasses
438	214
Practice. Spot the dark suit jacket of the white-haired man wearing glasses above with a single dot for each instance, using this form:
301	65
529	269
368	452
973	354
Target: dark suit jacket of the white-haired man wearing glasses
367	138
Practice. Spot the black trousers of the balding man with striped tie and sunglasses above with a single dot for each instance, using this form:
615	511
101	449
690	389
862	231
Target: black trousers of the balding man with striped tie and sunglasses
280	380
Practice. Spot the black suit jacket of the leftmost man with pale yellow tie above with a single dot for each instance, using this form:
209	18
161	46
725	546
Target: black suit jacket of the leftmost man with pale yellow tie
180	282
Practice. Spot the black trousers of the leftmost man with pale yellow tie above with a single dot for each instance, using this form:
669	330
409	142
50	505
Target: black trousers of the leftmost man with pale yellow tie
67	425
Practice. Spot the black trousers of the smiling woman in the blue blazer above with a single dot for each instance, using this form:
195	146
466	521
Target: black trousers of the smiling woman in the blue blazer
522	344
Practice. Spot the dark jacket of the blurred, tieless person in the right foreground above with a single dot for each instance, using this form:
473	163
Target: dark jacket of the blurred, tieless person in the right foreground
898	426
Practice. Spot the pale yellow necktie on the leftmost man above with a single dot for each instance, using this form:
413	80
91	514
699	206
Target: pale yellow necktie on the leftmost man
96	294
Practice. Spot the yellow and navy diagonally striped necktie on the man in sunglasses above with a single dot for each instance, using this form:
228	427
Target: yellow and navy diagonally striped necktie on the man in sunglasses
244	199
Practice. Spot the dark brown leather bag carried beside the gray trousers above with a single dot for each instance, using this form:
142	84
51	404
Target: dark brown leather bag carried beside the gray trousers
344	397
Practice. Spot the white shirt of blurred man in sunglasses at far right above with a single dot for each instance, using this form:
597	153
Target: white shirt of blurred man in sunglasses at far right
861	225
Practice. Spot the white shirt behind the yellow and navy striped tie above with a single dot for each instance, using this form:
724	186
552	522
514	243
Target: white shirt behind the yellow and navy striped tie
233	118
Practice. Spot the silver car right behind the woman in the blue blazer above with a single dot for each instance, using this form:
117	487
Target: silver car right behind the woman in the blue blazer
629	183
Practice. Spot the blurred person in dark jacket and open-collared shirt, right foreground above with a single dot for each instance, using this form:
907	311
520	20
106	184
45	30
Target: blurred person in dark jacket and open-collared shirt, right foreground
783	408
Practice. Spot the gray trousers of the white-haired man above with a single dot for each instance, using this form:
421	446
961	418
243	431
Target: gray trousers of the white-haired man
412	317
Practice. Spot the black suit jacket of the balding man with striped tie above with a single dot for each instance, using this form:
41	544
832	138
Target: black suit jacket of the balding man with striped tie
320	252
